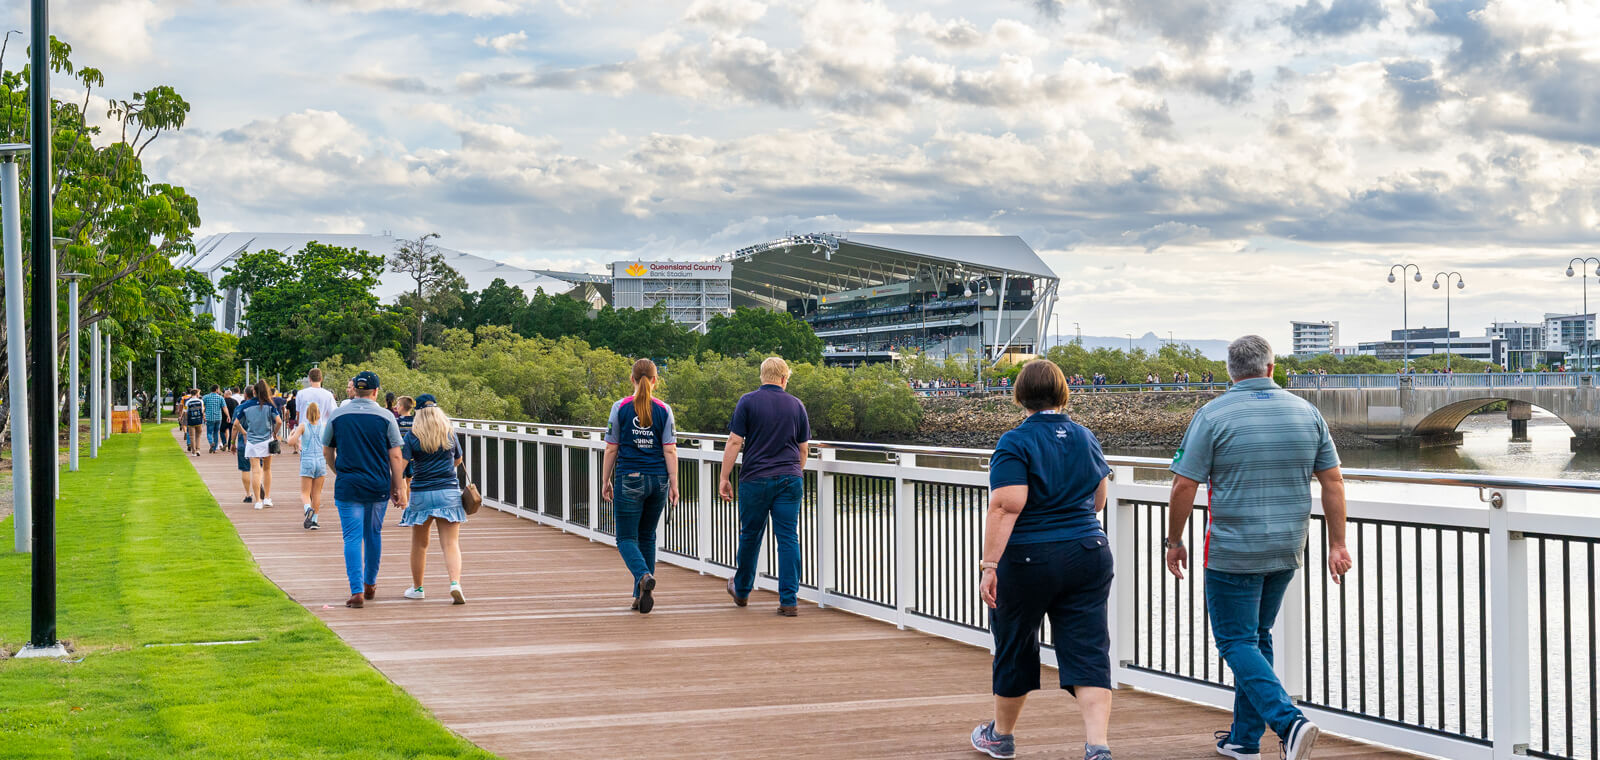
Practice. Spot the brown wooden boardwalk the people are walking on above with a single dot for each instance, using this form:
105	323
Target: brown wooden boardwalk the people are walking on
548	662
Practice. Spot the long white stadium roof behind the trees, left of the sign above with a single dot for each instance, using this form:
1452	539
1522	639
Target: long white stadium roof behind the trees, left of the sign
217	252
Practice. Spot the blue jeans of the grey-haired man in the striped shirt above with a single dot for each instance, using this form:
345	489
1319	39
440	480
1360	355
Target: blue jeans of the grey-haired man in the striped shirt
1244	609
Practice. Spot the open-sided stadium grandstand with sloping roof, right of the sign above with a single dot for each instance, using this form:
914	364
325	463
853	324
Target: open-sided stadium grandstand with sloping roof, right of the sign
874	297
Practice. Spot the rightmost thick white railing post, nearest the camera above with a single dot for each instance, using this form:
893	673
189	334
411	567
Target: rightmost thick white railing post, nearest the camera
1510	668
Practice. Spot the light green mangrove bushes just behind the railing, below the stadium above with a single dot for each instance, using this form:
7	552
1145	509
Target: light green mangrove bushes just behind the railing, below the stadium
495	374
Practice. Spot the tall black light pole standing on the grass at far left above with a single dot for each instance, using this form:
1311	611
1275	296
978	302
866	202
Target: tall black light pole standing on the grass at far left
44	366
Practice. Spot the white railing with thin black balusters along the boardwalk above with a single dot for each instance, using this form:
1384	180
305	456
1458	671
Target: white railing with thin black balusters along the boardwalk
1466	630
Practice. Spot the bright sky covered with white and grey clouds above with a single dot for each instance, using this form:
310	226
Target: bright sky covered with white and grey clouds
1201	167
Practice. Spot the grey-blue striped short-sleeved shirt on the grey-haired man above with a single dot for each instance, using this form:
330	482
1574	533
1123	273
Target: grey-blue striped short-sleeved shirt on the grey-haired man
1258	449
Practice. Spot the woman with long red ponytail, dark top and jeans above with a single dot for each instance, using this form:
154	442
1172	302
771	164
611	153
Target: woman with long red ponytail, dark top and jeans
641	478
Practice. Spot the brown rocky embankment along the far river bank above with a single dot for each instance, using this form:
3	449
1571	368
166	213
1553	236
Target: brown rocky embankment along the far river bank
1154	422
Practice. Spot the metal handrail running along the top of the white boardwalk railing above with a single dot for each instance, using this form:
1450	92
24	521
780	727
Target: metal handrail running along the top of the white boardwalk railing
1407	478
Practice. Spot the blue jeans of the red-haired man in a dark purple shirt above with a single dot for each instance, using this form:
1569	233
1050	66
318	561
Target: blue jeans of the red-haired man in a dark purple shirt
778	498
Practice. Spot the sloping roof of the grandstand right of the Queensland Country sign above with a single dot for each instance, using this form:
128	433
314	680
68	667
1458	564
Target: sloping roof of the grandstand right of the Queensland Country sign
807	266
